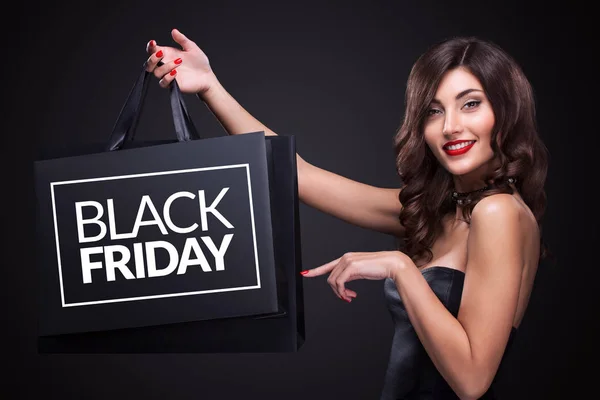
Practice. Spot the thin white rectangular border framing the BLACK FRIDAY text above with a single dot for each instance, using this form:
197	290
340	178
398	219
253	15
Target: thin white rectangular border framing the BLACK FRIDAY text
62	293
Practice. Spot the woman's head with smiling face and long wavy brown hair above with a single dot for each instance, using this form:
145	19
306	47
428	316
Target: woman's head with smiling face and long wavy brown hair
466	89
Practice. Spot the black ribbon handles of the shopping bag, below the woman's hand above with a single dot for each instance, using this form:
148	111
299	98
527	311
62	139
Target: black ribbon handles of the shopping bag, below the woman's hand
126	123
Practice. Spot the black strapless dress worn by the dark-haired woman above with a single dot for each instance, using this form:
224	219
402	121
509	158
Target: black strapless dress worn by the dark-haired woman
411	375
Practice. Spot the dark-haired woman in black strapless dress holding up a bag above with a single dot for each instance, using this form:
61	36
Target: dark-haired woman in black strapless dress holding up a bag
468	214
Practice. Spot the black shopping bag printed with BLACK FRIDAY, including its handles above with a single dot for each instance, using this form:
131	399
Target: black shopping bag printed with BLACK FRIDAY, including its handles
177	246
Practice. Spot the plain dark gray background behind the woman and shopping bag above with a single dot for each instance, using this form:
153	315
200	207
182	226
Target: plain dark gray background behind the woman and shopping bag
333	74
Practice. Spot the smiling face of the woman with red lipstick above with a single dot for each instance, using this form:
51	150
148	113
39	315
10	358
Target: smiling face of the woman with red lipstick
458	126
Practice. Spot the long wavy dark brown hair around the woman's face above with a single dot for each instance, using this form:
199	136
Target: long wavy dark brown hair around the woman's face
427	186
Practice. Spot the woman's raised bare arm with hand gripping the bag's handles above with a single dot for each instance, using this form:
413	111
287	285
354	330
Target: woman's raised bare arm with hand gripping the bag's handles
354	202
